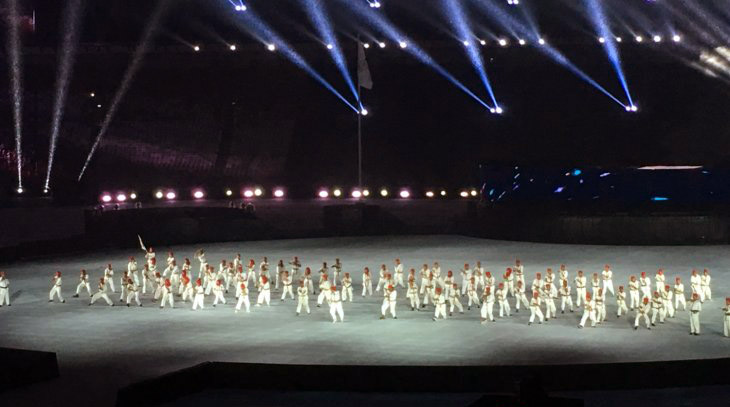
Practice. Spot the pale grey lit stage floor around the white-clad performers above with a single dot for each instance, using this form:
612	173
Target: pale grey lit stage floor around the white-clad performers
101	348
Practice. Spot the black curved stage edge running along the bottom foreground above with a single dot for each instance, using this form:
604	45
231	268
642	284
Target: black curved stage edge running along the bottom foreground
420	379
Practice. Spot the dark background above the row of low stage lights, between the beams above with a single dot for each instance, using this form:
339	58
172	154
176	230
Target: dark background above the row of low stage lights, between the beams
285	128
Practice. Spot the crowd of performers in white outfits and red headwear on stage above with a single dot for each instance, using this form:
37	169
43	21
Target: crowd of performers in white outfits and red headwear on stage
652	299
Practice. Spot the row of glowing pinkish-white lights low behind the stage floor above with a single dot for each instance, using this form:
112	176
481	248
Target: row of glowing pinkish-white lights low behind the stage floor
279	193
